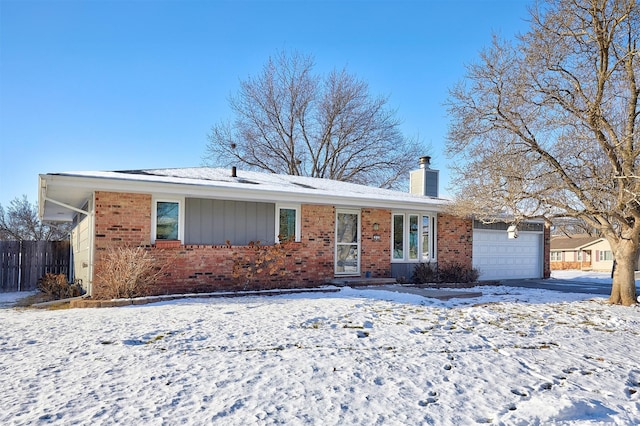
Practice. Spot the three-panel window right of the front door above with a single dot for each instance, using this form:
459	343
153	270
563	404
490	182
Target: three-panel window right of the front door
413	238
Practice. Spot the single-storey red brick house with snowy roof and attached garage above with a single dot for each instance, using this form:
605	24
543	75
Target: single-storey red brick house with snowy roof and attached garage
337	229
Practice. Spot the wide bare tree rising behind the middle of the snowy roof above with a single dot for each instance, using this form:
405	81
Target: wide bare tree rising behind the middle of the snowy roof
289	120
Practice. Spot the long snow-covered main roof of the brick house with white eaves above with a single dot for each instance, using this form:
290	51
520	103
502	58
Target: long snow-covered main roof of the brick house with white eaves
60	191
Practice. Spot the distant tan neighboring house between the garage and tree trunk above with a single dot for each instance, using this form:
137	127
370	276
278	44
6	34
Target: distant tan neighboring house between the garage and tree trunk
581	251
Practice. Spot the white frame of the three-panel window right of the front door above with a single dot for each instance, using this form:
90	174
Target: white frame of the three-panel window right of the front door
433	238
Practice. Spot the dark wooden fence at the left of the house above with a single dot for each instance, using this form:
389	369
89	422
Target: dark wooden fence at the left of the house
23	262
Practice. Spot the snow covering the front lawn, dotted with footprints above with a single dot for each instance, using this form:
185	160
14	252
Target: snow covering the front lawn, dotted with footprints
359	356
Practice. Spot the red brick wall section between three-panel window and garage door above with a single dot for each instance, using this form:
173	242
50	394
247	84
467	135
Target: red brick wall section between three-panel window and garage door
455	240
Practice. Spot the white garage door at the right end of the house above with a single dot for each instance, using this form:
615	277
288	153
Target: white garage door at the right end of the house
498	257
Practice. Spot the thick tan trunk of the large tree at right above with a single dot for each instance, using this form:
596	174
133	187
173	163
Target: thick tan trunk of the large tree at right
623	288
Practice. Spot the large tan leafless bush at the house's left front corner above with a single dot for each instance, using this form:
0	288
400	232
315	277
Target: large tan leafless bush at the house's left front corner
128	272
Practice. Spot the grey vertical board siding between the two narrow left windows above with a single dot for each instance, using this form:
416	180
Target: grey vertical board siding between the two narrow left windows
214	222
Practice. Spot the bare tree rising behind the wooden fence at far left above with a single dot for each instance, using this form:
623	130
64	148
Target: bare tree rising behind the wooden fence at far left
20	222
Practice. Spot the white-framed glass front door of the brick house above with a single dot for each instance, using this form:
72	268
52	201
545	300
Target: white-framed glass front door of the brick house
347	256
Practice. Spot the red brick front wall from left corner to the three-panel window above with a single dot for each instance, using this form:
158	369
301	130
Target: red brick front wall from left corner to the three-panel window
126	219
